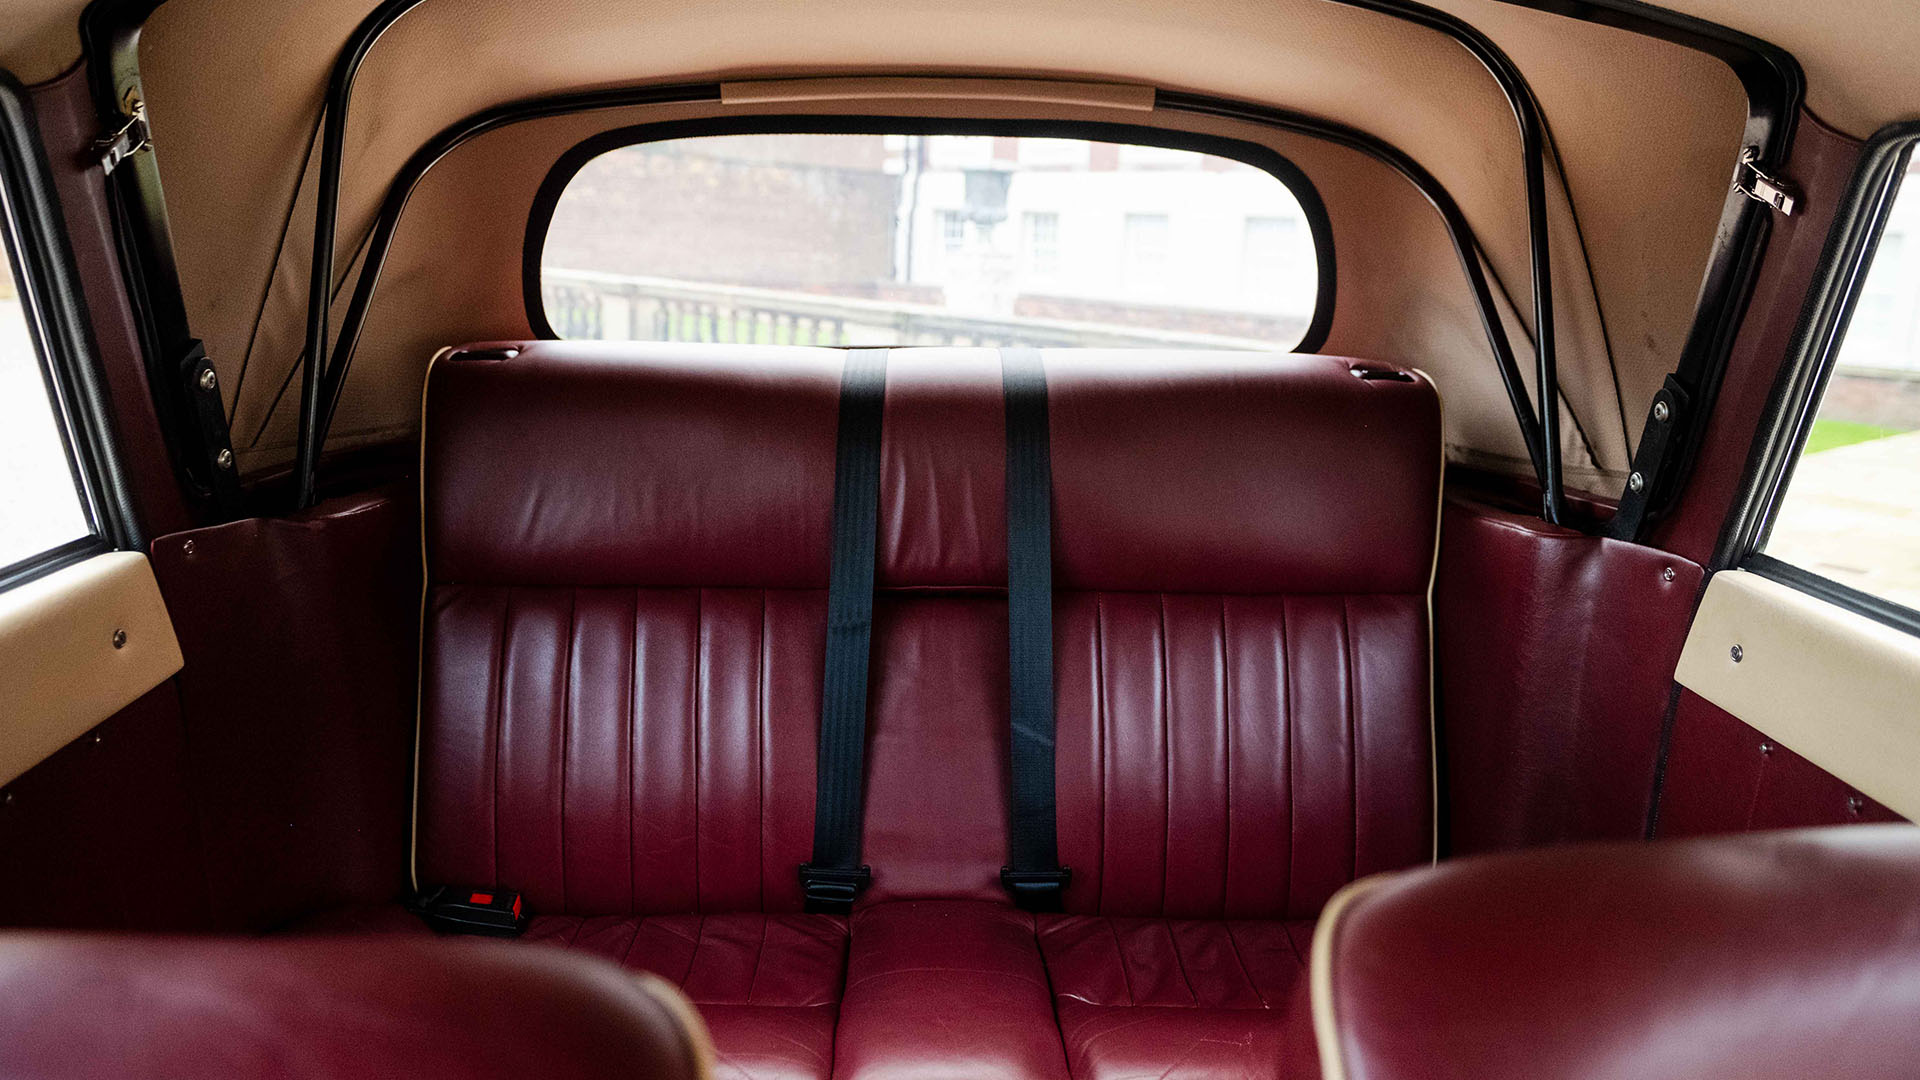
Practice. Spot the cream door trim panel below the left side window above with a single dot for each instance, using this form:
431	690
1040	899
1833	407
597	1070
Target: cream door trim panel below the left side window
60	672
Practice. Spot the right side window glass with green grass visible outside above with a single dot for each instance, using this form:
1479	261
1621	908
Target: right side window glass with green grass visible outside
1852	506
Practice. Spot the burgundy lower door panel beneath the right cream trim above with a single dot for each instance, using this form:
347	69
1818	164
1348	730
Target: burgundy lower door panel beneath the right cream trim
1729	777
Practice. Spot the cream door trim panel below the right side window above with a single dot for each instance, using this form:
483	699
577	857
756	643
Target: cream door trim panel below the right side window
1831	685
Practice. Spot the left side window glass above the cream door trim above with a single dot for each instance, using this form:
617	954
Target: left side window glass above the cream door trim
43	504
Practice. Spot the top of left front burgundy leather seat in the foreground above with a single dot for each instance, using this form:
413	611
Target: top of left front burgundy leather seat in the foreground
155	1008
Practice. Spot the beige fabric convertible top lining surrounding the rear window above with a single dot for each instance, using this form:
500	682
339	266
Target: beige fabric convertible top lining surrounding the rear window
1646	137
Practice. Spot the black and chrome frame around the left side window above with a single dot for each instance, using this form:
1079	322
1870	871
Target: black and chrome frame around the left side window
41	262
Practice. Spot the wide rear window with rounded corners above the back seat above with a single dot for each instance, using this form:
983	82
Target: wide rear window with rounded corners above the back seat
928	239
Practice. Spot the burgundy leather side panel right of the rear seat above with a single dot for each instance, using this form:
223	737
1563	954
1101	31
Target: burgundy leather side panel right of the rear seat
1556	658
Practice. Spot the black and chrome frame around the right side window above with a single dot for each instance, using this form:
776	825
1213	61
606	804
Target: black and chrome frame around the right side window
1813	353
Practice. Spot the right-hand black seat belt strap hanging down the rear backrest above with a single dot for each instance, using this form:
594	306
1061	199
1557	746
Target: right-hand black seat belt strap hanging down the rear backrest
1034	877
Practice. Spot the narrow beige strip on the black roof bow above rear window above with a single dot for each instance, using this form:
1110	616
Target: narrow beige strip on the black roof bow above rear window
896	89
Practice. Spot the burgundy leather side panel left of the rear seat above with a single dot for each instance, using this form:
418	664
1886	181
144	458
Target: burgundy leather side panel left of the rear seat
300	641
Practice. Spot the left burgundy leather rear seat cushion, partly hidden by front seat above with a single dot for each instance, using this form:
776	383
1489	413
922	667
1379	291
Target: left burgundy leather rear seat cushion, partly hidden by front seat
769	987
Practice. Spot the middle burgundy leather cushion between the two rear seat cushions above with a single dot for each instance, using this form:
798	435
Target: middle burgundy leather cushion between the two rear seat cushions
946	991
